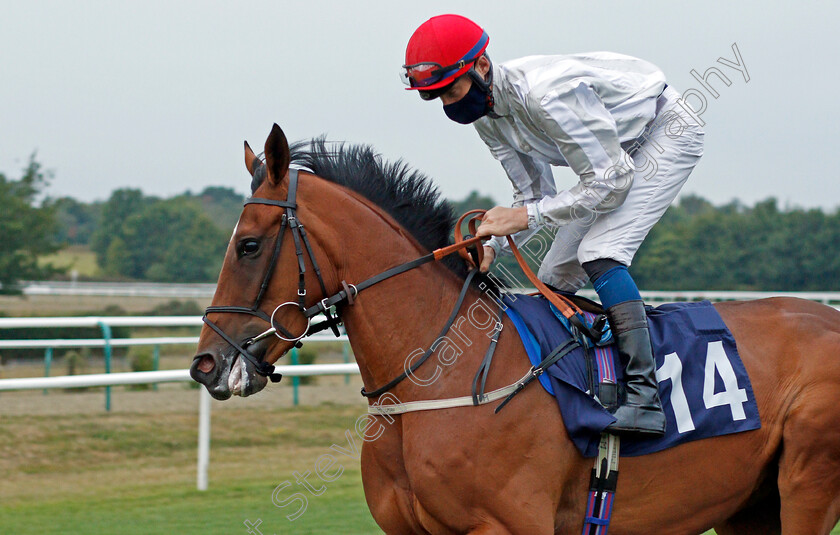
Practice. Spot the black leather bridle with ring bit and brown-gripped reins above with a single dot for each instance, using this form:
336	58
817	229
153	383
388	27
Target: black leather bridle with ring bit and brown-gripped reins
349	292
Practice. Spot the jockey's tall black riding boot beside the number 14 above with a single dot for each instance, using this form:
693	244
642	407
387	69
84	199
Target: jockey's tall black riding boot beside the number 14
642	411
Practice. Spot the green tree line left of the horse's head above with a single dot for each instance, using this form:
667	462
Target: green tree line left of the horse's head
134	236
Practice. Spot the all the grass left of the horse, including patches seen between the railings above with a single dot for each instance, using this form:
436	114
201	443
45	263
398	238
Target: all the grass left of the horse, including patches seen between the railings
69	467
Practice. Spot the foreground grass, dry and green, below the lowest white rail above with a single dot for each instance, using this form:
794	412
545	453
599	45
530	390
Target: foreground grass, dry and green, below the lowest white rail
135	473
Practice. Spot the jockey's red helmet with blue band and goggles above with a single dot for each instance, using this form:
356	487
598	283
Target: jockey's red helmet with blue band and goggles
442	49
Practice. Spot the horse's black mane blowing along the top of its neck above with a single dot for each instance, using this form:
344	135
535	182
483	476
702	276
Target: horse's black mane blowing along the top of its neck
407	195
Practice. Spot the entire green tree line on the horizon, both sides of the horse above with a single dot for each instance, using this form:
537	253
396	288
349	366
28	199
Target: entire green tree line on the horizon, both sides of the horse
696	245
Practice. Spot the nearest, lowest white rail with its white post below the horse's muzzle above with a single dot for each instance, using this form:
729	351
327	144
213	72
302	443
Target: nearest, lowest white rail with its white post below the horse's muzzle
168	376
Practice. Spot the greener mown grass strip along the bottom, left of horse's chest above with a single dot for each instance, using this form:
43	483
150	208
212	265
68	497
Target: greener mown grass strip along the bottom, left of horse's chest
184	510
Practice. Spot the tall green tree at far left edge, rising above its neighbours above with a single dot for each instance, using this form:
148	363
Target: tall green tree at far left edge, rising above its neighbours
27	228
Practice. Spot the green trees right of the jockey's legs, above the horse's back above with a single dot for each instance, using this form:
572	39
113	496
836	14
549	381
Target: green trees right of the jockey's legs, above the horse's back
697	246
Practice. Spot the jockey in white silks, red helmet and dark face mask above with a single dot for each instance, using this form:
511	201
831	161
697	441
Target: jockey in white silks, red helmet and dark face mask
614	121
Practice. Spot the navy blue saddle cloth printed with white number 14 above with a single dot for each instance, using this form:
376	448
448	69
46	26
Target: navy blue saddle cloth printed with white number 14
703	385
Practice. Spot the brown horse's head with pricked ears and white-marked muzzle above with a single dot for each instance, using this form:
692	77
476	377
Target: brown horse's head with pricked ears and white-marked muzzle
262	287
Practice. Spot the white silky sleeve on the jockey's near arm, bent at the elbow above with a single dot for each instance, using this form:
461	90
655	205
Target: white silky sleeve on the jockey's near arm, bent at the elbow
574	117
